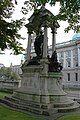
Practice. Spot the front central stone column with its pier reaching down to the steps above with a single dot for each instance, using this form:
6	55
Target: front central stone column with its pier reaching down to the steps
44	63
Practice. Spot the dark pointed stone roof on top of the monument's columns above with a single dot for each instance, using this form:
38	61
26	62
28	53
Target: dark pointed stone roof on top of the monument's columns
40	18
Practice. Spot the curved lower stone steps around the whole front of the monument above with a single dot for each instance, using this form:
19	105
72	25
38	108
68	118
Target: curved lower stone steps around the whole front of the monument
18	104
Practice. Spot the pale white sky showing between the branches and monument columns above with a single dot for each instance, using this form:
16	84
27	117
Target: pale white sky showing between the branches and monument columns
61	36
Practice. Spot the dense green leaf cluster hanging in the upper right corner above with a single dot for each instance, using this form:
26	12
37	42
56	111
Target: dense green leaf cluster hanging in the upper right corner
70	11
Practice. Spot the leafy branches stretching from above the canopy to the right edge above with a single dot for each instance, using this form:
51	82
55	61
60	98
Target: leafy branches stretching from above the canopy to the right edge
69	11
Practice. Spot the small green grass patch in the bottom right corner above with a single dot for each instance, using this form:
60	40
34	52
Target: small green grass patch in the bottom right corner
70	117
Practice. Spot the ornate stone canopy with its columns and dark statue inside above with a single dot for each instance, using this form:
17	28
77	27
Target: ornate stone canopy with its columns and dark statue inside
42	19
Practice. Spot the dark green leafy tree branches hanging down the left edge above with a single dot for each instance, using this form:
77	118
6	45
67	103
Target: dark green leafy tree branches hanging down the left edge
9	37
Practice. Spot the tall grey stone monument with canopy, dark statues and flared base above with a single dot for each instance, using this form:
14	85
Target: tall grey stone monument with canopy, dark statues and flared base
41	91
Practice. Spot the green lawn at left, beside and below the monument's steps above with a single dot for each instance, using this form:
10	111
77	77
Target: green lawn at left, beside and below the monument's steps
8	114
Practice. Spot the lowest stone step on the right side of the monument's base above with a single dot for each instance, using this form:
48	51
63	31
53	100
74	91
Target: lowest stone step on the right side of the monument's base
70	108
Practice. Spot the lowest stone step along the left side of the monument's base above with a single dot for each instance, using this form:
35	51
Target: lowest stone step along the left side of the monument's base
25	108
